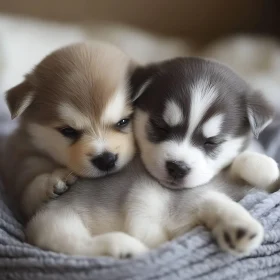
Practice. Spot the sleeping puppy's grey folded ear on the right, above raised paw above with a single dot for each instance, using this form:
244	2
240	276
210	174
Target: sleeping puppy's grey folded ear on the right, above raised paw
260	112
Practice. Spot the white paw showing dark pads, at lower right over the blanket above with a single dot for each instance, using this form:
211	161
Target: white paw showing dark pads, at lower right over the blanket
239	236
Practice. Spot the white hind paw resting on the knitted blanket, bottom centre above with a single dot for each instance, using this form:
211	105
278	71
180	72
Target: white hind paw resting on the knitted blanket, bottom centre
124	246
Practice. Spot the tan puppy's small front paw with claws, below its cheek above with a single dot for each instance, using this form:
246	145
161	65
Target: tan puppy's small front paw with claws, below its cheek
59	182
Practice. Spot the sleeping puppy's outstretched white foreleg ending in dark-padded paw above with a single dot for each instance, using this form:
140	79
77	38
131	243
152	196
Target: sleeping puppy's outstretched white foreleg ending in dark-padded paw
235	230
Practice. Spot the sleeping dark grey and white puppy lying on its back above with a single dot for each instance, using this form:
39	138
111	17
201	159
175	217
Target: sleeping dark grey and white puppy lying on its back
192	120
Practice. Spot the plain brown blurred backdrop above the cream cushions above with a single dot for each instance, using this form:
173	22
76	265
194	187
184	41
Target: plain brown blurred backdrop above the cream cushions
199	20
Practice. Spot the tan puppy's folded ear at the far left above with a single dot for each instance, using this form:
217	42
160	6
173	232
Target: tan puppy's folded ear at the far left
19	98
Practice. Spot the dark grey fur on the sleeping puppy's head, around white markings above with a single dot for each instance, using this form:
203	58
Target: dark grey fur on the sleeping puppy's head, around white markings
173	80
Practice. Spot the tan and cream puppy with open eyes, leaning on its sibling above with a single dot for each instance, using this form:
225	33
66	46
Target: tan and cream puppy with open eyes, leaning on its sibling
74	110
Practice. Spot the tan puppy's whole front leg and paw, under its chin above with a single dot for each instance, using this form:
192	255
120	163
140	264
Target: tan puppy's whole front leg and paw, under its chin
44	187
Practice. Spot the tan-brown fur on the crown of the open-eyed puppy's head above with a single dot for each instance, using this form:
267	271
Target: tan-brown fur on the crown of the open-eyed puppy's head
85	76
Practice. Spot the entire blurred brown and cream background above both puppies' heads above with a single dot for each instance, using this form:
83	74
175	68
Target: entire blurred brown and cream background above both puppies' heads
241	33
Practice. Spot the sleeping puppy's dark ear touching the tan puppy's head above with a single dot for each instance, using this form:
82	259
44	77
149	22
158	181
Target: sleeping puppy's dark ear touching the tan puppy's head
140	79
